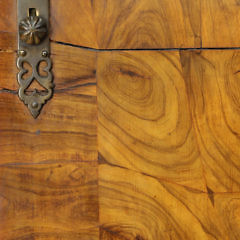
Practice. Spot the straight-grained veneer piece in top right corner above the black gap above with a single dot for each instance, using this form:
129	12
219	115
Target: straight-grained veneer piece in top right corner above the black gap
220	23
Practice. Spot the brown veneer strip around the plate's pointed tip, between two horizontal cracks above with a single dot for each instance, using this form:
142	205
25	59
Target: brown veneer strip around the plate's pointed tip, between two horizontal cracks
65	131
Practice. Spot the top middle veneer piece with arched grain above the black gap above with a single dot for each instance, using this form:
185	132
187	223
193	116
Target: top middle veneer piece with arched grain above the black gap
147	24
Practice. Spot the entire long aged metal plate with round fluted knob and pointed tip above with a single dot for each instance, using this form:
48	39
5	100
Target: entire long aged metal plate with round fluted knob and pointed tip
33	49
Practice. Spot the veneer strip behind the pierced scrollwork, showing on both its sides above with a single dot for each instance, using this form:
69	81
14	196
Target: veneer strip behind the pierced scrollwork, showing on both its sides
74	70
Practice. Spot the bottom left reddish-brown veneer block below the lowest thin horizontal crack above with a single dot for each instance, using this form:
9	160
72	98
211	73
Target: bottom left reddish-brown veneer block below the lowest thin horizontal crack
49	201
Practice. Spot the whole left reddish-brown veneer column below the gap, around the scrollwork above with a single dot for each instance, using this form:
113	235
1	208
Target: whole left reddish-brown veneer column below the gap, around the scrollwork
48	165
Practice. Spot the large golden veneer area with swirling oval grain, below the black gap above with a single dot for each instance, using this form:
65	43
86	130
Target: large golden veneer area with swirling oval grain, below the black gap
169	145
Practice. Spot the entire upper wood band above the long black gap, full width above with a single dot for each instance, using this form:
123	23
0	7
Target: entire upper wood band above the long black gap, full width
131	24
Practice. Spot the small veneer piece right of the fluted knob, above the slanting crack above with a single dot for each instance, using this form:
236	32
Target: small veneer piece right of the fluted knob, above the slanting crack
72	22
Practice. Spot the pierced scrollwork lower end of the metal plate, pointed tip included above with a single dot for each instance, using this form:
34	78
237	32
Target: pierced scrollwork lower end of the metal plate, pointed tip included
37	98
